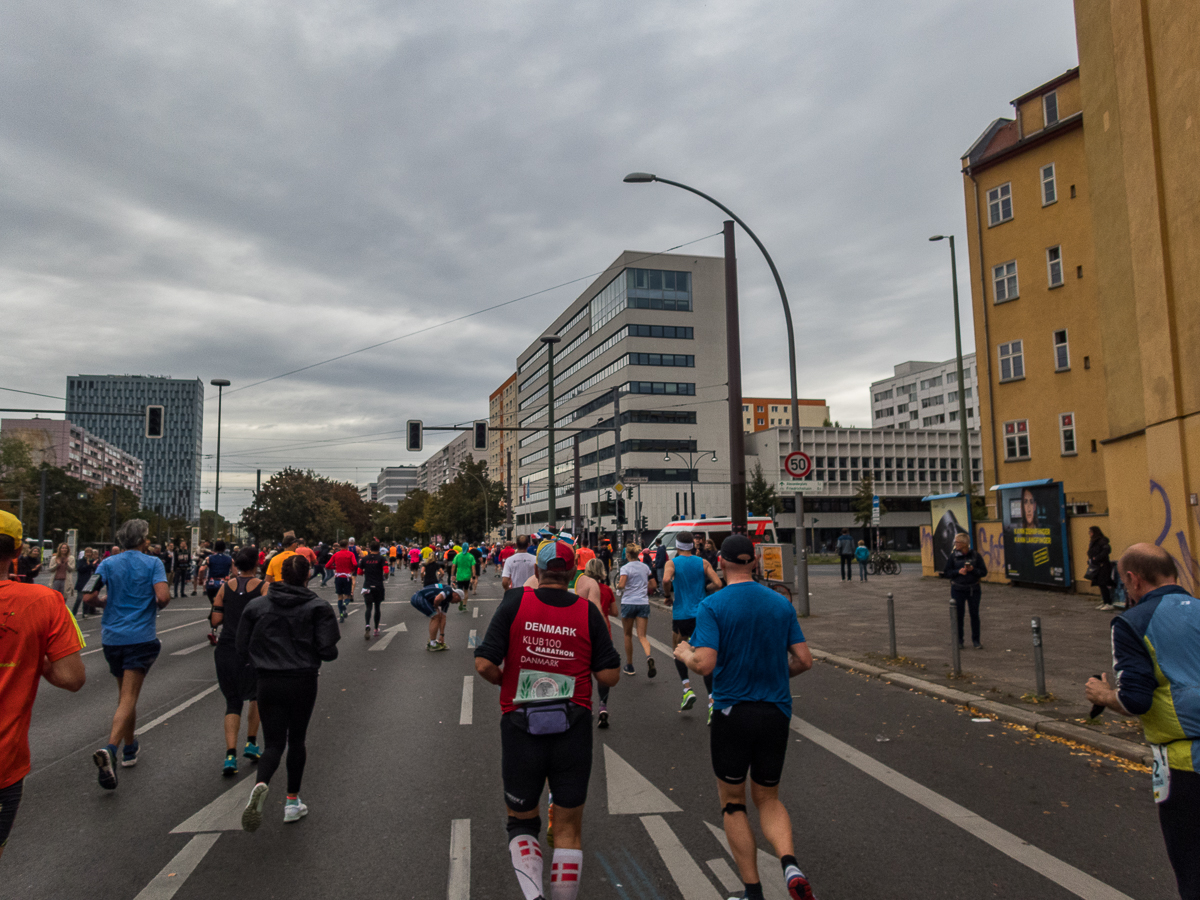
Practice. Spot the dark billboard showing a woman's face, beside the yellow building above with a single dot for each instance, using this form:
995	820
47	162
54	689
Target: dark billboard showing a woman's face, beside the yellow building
1036	533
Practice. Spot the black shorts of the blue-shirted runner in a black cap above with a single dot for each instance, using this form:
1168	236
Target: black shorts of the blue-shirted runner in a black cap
752	737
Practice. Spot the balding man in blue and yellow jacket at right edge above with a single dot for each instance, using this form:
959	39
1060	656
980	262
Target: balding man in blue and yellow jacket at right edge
1156	656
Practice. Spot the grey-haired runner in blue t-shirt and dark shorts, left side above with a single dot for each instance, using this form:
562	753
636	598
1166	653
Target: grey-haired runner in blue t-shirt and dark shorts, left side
137	590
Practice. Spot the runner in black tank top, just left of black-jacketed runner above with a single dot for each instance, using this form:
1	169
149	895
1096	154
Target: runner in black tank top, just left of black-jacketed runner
235	674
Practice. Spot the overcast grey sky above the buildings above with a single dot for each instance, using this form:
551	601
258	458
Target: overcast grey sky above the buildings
239	189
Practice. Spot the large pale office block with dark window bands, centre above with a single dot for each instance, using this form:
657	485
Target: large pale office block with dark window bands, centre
649	334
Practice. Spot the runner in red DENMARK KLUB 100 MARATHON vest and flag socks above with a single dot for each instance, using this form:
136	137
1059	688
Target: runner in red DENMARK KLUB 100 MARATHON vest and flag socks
547	742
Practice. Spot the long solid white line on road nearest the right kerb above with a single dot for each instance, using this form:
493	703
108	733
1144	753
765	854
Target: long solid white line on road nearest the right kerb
1063	874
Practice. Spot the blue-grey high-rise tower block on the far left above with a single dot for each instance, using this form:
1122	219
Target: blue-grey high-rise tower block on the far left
115	409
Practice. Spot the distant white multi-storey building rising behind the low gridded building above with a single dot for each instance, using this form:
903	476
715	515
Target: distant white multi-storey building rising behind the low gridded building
926	395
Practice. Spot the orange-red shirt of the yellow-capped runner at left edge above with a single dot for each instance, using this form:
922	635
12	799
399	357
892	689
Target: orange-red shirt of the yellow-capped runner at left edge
34	625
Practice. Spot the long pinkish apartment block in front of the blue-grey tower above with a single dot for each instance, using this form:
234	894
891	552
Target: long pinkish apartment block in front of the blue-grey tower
57	442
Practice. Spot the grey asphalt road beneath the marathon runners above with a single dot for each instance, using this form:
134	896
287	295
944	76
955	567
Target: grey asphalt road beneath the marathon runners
892	794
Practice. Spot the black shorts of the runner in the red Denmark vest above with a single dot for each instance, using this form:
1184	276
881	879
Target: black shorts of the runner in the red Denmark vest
530	761
